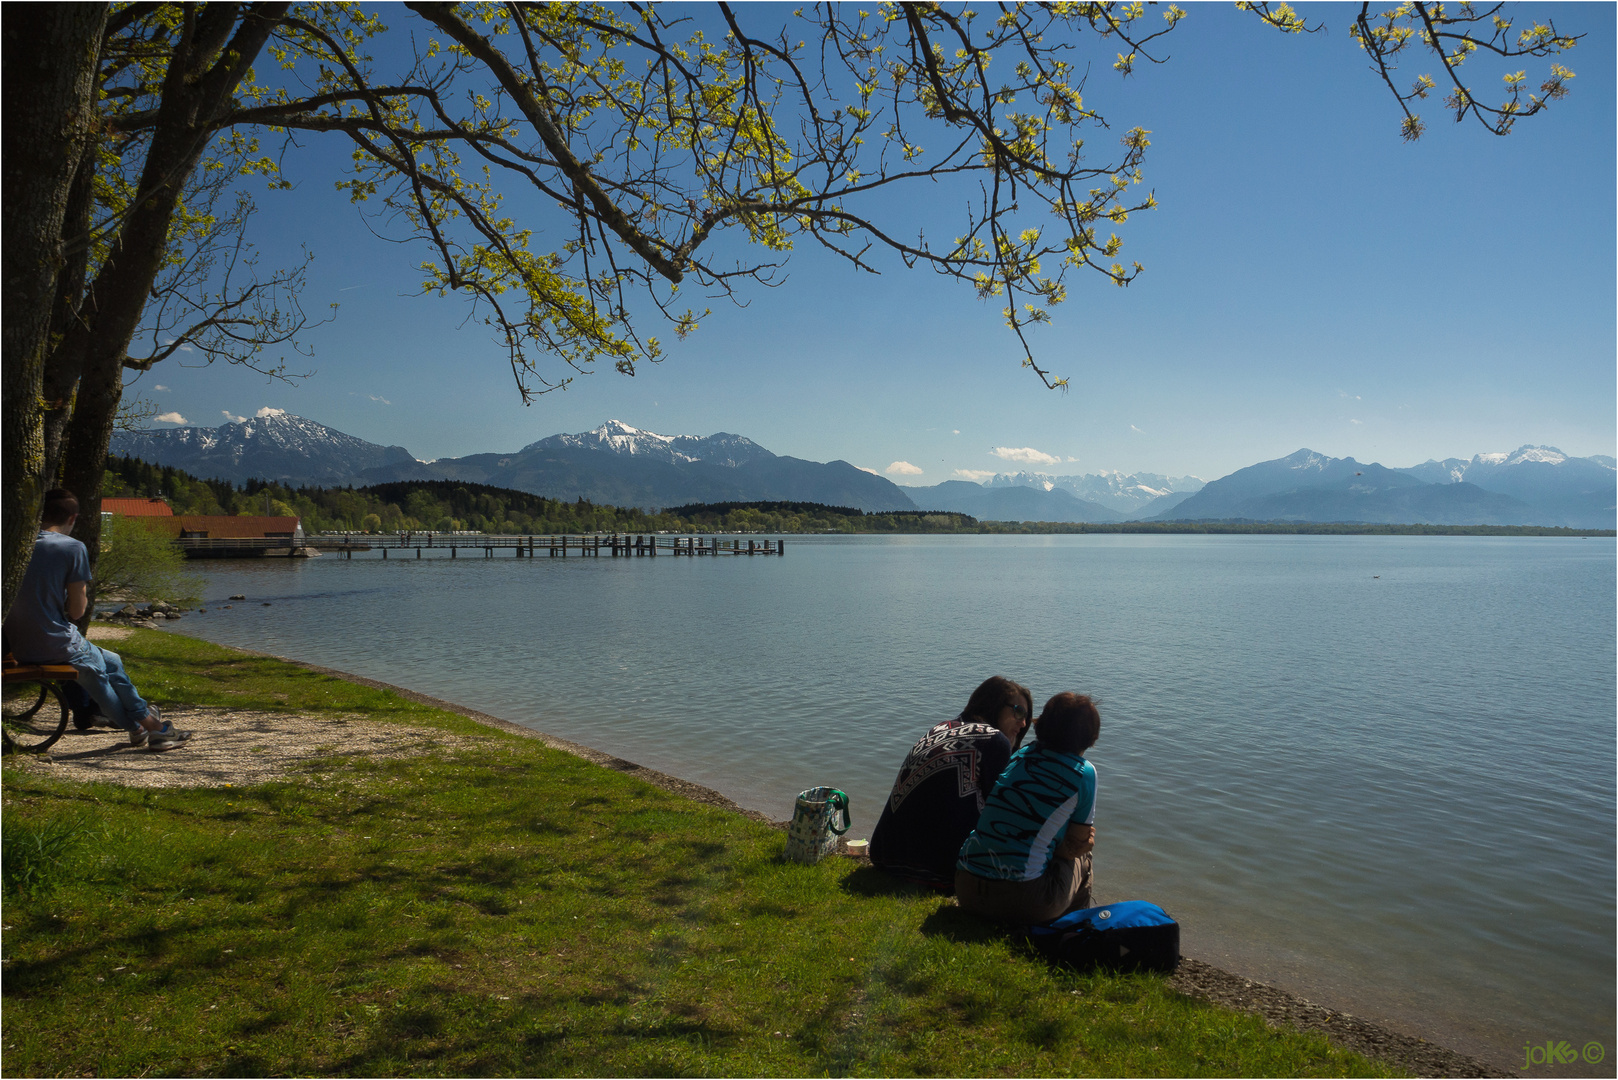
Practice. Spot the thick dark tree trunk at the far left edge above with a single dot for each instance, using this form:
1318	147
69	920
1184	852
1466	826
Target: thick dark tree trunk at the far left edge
51	53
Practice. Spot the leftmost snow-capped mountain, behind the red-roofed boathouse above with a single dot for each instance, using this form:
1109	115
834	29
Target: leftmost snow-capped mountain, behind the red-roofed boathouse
271	446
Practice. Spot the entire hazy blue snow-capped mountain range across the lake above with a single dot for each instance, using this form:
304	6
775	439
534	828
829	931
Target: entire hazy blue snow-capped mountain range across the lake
624	466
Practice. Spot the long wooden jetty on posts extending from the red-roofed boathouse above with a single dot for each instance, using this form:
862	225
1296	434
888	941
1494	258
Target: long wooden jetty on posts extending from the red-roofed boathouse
590	546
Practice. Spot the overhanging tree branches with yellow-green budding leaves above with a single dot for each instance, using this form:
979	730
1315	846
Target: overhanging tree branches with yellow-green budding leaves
567	168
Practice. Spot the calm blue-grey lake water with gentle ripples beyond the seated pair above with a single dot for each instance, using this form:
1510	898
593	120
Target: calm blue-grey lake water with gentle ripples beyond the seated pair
1378	772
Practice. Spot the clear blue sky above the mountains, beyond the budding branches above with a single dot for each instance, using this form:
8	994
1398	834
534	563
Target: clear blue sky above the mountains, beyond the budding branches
1311	281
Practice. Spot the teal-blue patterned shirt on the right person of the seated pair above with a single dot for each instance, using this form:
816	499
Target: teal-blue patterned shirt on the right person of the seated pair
1028	815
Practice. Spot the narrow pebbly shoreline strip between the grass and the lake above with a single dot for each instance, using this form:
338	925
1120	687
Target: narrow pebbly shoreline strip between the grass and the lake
1195	977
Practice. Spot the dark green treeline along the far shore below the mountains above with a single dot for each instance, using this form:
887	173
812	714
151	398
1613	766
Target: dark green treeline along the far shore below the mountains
459	506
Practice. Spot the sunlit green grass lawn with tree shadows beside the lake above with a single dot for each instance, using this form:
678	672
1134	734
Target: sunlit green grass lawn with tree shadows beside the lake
509	909
